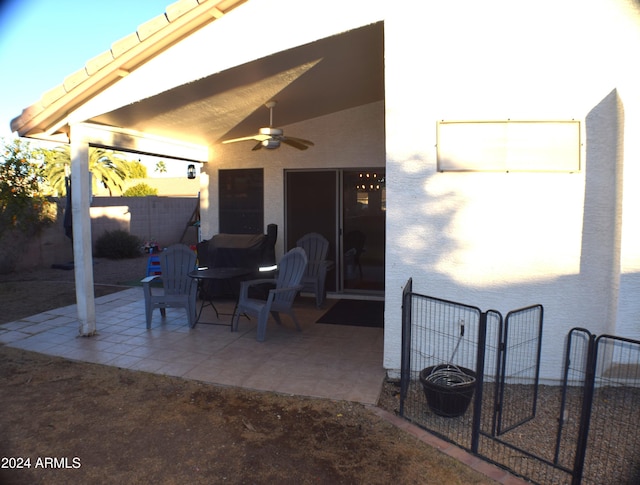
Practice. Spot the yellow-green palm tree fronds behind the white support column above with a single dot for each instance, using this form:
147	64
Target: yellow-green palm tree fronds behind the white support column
105	165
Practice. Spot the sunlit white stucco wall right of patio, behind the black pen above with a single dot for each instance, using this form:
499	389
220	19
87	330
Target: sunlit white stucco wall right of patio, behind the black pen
507	240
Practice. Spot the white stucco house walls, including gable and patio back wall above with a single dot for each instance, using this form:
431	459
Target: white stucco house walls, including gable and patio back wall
495	240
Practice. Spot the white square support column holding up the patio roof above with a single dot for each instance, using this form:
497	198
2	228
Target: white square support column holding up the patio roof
82	252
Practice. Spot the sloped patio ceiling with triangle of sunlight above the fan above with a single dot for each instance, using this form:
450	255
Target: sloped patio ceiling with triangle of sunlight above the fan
330	75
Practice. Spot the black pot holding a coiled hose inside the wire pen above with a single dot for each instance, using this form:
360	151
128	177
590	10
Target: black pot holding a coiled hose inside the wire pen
448	388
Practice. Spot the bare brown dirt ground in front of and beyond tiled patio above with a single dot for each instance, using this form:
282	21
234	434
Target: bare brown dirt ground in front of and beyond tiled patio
72	422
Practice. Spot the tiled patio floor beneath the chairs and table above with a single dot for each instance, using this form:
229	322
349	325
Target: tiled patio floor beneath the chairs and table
325	361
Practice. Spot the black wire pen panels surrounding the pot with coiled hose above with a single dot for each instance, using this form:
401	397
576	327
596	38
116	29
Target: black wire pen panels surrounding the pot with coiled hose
504	354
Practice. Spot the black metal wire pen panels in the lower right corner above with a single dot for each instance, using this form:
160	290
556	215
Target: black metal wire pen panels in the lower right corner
602	375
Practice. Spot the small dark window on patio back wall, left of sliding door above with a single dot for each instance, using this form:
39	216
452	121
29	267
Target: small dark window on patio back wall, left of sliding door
241	201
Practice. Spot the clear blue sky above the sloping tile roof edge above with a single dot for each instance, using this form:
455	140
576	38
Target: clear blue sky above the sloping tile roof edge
44	41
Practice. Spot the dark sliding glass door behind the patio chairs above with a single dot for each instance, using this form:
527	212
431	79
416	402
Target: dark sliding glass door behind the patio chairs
348	208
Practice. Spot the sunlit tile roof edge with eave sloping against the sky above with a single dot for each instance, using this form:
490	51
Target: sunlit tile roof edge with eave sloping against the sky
47	117
